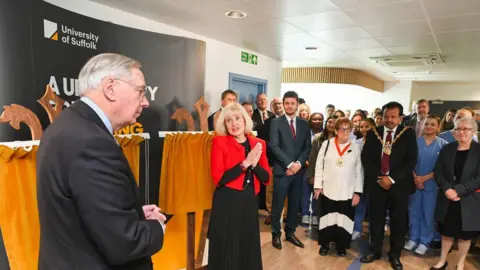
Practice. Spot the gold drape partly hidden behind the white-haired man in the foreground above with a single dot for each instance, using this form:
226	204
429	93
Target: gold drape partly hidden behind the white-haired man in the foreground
18	200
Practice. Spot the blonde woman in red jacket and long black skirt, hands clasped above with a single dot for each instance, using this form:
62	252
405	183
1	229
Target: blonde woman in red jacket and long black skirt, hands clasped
238	166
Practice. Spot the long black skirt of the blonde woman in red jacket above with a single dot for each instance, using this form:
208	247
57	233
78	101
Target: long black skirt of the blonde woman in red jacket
233	233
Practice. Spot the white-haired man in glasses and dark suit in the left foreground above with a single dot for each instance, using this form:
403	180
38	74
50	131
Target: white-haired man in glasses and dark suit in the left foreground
88	206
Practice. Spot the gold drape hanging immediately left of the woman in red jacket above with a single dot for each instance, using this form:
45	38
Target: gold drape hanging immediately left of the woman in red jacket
185	186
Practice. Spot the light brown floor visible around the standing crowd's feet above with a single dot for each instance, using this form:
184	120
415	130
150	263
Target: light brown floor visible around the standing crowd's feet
293	258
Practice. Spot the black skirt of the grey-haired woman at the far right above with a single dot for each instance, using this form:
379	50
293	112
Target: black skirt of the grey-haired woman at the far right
452	226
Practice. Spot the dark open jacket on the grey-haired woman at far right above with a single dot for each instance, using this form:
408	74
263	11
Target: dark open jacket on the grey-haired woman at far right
466	189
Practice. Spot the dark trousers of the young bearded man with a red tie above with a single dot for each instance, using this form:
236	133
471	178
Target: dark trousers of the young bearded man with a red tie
284	186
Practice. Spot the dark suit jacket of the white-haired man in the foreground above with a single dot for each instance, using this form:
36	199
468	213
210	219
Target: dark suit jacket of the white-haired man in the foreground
90	216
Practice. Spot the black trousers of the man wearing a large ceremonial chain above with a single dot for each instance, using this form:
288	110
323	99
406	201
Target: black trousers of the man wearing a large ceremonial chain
396	201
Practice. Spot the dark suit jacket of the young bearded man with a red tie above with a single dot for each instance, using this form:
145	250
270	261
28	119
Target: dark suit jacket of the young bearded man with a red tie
285	147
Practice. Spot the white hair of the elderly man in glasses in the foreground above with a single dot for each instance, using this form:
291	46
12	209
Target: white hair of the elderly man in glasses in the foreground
103	65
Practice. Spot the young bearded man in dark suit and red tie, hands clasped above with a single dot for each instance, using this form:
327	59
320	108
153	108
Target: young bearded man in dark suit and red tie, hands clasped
290	140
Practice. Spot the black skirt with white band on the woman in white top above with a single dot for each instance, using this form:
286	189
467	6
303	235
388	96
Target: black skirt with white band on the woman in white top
336	222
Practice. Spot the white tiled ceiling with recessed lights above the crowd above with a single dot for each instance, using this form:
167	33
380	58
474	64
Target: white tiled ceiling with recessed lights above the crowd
346	32
